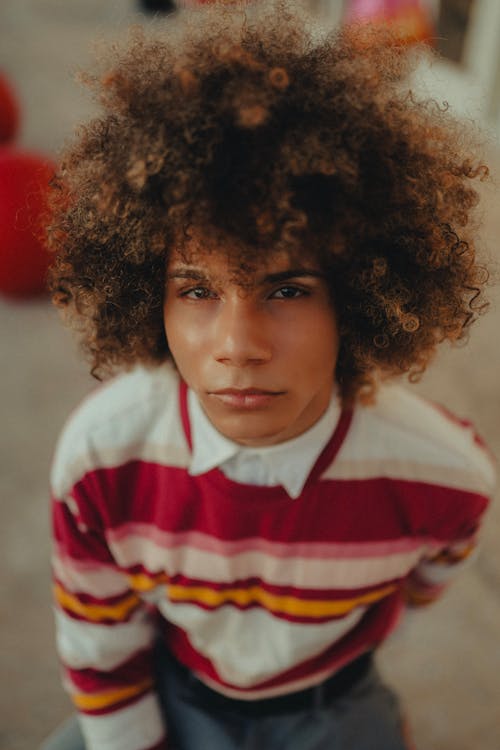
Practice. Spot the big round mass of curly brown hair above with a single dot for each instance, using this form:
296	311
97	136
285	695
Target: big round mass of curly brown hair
252	124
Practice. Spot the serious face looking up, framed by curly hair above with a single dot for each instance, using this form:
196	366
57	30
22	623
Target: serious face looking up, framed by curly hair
259	354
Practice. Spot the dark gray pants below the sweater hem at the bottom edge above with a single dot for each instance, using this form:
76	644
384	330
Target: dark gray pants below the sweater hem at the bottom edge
365	717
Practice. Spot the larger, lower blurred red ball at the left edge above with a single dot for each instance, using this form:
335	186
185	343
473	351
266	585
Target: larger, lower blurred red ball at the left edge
24	182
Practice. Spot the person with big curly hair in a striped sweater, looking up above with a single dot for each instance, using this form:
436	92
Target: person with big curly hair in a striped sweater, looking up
259	233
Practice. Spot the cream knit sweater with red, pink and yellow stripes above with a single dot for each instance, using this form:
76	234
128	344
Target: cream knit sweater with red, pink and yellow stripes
258	594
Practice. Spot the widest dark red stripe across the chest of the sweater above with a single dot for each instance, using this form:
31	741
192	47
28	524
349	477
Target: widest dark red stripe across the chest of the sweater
382	508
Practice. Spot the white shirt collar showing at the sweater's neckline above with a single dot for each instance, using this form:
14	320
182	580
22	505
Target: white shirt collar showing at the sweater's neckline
288	464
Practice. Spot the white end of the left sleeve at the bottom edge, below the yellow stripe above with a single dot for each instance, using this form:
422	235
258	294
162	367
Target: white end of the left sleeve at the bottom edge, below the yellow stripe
131	728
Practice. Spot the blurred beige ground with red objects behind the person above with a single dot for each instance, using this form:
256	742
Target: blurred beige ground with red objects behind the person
445	661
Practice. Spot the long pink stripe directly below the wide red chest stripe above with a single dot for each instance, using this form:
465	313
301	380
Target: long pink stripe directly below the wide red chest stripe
320	550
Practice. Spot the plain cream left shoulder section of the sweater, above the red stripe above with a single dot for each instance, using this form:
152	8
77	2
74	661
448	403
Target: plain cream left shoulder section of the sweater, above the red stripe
133	416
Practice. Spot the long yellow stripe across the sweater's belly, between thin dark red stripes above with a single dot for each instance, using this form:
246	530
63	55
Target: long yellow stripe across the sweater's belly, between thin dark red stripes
290	605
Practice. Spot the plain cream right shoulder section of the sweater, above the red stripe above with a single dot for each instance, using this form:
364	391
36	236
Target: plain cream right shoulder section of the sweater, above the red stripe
405	436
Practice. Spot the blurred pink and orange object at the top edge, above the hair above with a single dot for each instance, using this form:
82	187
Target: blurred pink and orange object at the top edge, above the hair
410	19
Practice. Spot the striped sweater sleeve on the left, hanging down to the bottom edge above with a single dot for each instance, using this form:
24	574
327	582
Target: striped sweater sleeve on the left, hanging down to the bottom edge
105	635
